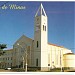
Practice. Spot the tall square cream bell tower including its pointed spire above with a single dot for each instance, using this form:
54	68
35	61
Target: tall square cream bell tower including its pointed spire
40	39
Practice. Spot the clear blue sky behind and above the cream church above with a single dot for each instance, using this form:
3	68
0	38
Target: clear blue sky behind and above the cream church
15	23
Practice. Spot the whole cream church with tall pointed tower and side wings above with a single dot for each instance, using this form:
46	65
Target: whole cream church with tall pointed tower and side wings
38	52
